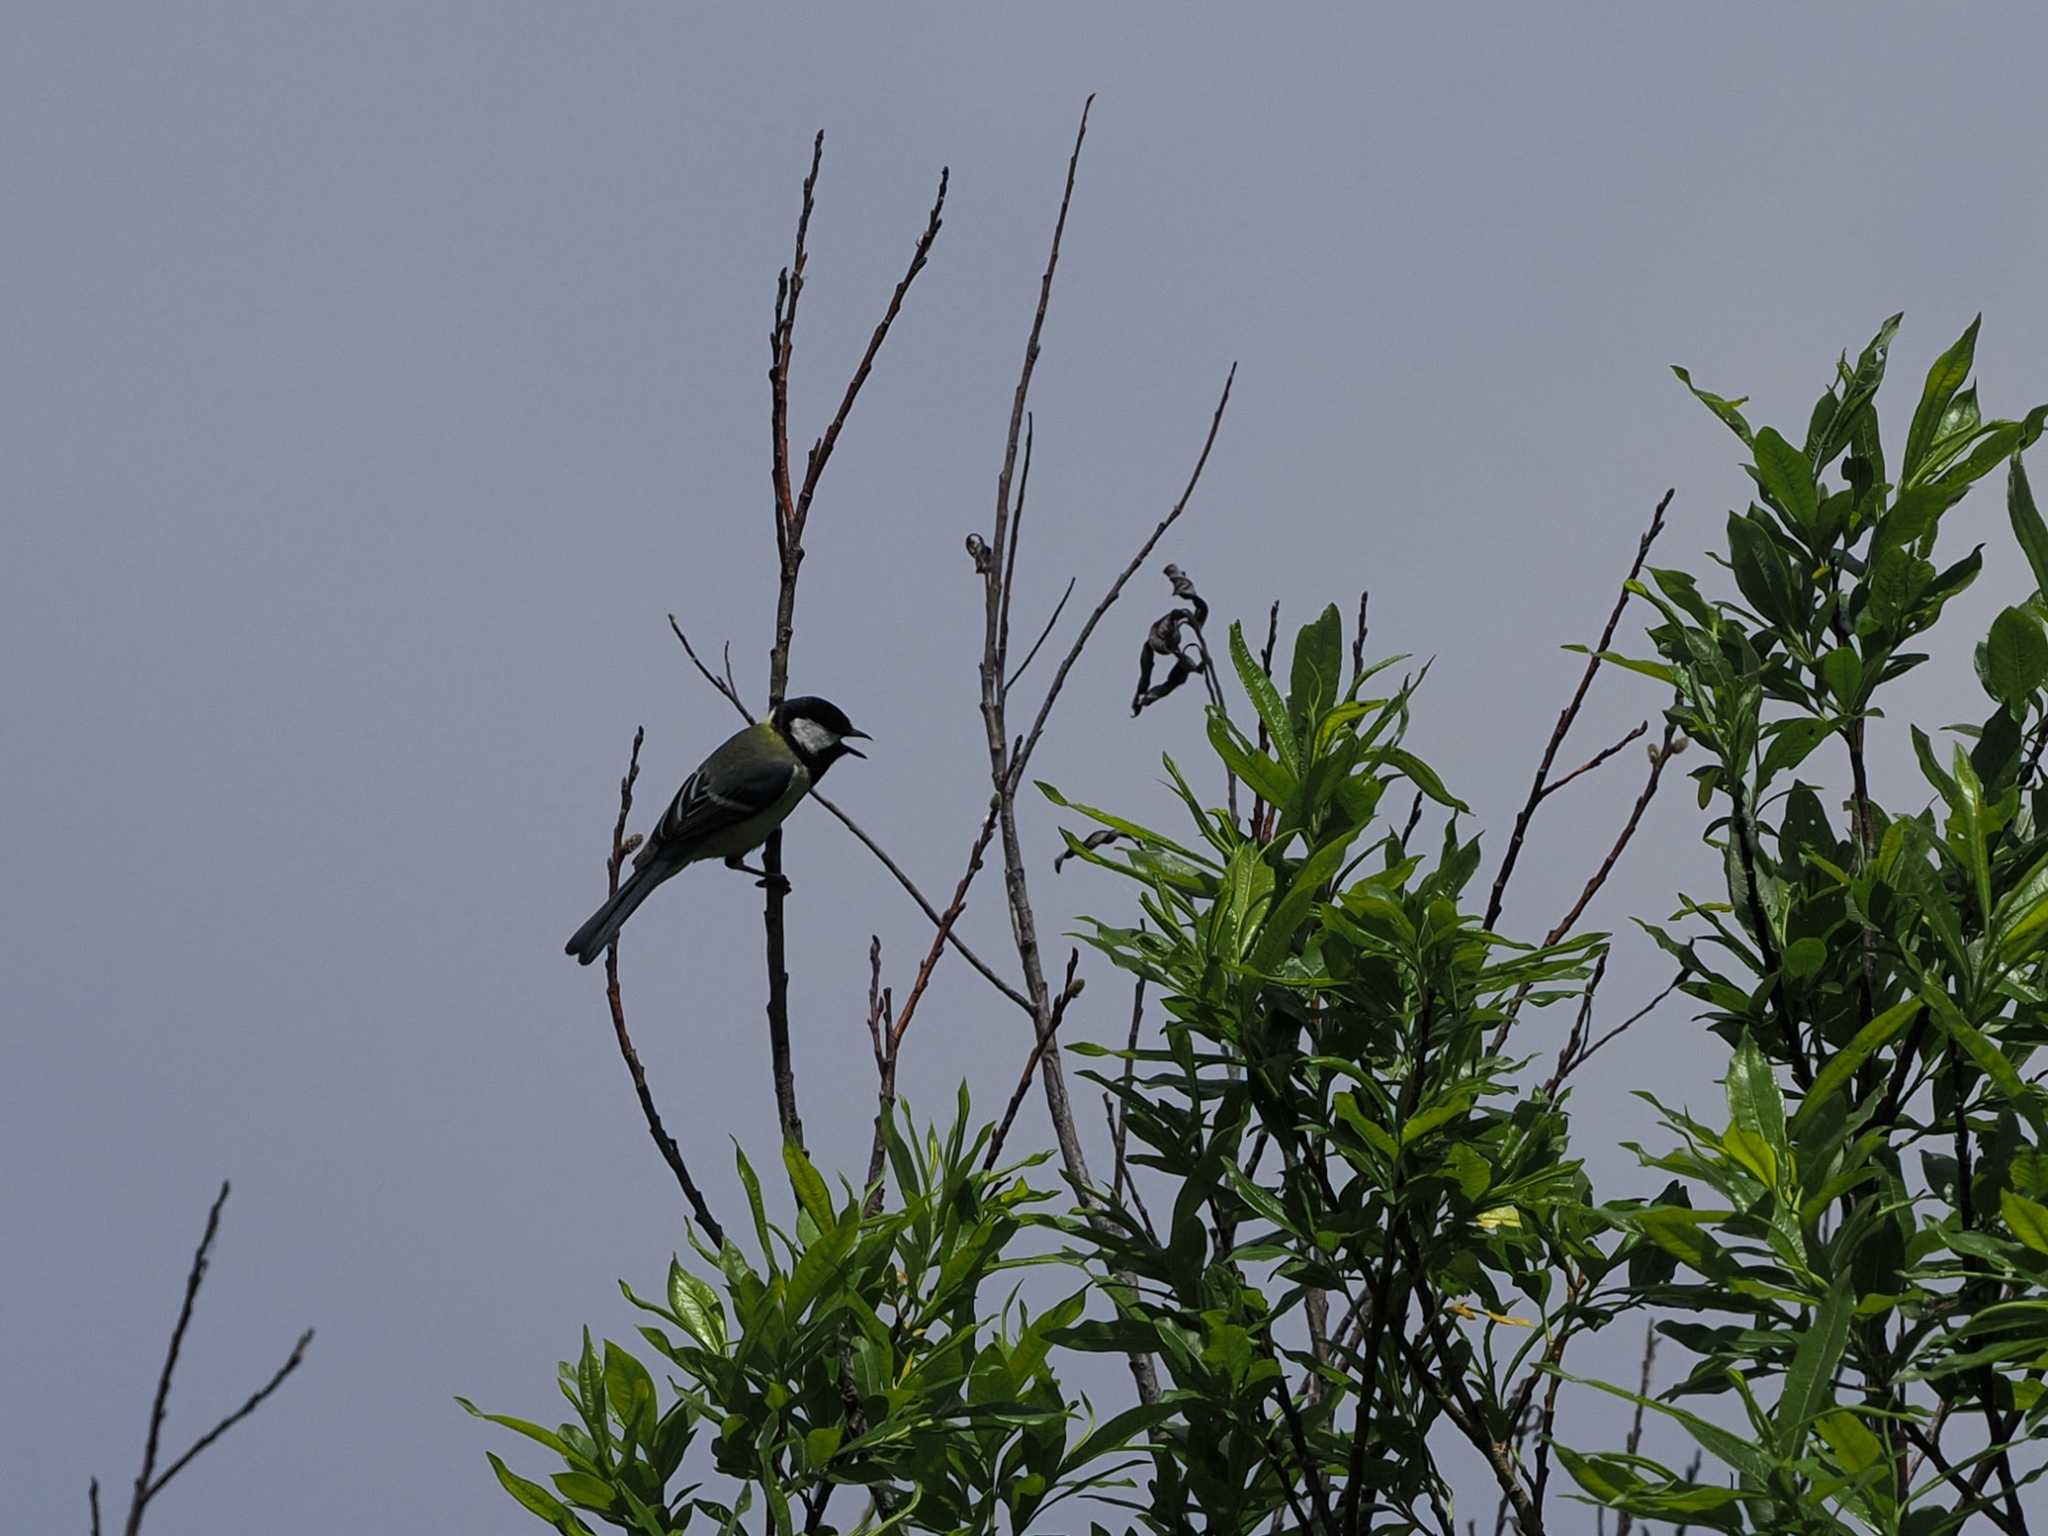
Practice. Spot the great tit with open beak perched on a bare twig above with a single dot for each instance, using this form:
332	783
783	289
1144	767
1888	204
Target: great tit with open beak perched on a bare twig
730	806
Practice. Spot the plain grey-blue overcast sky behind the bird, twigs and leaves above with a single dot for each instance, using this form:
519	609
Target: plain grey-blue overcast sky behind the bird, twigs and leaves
378	378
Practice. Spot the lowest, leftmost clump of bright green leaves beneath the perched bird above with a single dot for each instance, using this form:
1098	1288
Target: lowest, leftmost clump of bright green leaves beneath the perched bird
857	1355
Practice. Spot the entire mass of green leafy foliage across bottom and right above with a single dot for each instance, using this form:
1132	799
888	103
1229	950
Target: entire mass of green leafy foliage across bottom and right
1359	1234
